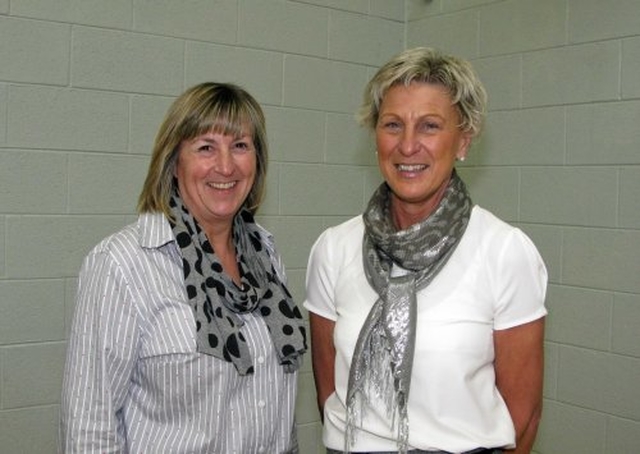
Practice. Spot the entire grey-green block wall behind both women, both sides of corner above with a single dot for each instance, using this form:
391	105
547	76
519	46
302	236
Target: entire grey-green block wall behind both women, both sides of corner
84	85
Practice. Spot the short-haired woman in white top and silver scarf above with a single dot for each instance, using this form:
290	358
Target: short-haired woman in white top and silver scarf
427	311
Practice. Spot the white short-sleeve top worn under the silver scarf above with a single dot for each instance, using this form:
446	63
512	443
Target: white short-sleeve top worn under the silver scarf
494	280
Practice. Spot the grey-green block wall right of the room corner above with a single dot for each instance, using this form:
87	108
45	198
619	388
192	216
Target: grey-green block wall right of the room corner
561	158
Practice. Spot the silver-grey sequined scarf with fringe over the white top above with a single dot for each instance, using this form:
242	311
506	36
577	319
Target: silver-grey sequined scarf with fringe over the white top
383	357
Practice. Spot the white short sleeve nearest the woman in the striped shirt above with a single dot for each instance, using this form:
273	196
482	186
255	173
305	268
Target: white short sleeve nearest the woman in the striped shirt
321	278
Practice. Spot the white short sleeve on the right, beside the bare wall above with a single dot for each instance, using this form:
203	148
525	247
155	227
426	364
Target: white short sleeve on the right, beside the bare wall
520	282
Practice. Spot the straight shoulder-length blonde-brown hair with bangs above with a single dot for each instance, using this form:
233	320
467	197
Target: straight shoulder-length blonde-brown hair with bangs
221	107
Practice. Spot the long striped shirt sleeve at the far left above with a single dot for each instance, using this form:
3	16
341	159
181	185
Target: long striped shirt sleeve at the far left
100	358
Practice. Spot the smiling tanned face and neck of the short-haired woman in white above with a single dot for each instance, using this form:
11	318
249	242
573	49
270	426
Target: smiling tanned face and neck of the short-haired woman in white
418	140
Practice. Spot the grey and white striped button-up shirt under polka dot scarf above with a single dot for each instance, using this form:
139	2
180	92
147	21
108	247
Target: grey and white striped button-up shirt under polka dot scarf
134	382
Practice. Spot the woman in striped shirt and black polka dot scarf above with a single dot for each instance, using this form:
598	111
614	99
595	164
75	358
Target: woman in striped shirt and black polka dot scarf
185	337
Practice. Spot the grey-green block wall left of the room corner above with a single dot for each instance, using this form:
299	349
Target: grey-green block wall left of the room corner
83	88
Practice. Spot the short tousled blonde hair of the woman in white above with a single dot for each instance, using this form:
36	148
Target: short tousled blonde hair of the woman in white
426	65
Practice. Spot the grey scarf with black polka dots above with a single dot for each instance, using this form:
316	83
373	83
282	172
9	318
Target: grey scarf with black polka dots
216	299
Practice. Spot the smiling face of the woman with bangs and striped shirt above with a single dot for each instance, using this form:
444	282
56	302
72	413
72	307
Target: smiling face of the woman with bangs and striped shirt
215	174
